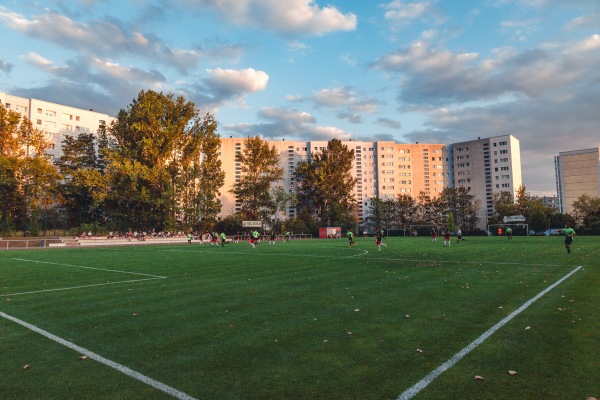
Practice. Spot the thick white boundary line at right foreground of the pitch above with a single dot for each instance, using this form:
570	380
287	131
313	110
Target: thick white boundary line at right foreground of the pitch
422	384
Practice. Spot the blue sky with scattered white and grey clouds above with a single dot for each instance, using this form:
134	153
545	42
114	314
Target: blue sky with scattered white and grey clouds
434	71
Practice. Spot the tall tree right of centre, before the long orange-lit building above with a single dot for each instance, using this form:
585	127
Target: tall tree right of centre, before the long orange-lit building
326	185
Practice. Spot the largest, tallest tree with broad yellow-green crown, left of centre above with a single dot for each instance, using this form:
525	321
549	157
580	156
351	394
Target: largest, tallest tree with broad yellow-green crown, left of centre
154	154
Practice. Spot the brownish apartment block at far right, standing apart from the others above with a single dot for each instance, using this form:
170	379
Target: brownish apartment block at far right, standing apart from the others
577	173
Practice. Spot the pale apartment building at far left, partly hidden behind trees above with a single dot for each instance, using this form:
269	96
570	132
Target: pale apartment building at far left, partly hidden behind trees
55	120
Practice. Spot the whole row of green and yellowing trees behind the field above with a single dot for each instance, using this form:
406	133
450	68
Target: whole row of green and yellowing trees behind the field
157	167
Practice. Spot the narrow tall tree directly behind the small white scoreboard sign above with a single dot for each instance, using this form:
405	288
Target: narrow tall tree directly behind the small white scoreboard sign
260	170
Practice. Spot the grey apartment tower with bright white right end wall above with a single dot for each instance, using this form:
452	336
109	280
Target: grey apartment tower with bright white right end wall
485	167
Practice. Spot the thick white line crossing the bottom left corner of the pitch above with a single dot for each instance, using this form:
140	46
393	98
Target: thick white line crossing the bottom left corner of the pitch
121	368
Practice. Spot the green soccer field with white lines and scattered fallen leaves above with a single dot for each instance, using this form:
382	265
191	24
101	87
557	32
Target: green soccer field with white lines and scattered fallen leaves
305	319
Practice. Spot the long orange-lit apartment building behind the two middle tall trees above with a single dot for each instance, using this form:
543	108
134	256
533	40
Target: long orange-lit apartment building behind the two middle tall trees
382	169
